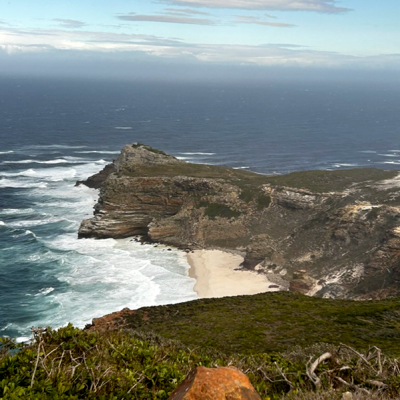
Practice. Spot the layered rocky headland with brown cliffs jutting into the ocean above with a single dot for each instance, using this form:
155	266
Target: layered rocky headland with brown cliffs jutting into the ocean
327	233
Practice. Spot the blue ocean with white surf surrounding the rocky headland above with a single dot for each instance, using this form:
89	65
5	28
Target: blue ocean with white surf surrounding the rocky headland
53	133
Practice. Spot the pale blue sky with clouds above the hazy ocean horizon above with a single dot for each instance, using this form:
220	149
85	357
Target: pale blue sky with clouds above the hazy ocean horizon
185	39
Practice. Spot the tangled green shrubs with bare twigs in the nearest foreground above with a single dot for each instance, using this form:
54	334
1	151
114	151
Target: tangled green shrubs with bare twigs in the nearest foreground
115	365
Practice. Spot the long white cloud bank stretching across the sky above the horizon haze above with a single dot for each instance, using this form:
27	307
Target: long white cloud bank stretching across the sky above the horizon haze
126	46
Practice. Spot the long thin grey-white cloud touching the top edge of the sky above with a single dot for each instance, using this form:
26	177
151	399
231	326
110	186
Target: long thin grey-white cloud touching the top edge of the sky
321	6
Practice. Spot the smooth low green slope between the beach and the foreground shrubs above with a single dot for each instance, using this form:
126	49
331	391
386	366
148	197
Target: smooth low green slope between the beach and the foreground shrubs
274	321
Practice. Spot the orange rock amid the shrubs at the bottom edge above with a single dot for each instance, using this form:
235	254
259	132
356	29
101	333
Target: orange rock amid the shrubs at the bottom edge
223	383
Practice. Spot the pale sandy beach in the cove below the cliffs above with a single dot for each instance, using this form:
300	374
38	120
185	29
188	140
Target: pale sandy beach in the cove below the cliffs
216	275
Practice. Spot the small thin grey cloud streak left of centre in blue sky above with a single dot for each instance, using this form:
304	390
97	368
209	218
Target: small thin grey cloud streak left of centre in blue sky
172	17
